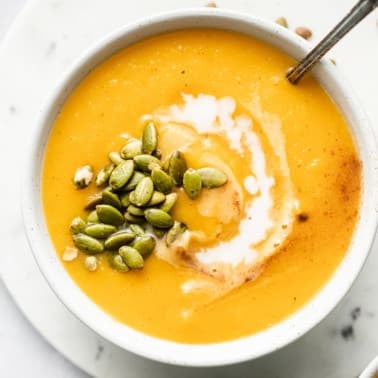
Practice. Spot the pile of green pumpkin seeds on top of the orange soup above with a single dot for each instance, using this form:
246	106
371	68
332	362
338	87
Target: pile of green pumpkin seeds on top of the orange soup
133	207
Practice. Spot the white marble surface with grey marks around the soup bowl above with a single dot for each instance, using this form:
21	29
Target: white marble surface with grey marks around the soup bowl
45	38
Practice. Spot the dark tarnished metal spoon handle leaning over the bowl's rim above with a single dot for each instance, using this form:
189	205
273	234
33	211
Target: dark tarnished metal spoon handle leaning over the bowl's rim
356	14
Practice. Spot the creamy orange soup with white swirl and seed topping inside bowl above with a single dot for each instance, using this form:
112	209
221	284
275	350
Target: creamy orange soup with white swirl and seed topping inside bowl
211	198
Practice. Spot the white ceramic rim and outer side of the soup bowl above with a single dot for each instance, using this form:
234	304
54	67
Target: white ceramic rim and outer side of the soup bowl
242	349
